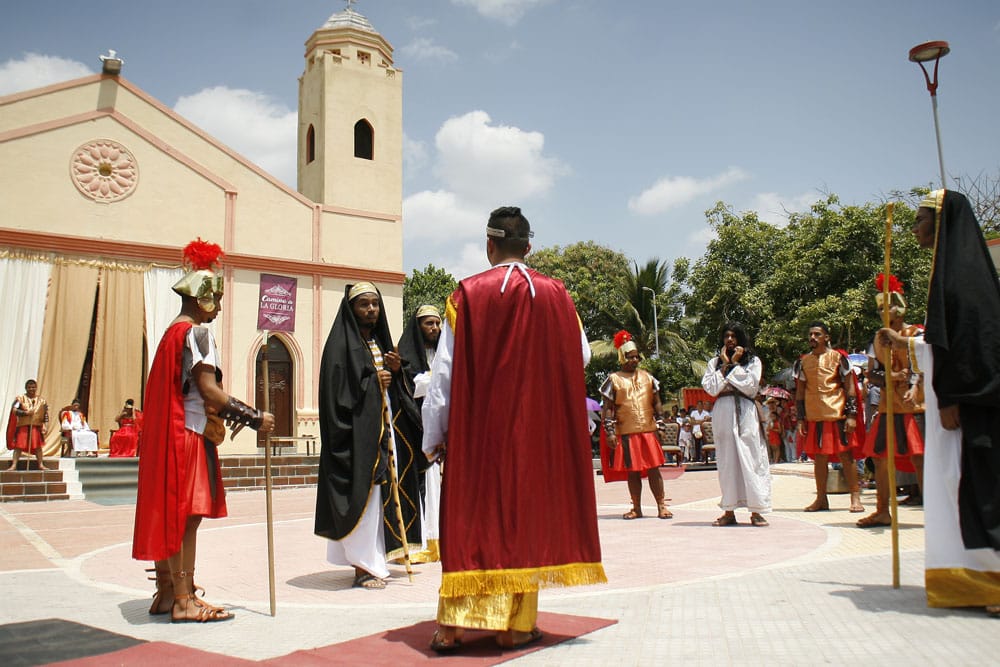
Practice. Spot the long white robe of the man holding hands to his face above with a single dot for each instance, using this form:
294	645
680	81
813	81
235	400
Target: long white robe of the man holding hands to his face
740	446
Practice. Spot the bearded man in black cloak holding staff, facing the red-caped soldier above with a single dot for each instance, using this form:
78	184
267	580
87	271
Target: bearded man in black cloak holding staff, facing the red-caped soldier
362	390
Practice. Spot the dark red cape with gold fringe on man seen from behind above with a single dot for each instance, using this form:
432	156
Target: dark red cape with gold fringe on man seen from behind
518	489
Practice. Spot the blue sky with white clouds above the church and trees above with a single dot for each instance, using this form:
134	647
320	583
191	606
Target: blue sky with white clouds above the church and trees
619	121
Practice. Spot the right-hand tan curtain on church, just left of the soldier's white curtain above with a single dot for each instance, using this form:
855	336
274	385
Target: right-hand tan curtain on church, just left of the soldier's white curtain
117	366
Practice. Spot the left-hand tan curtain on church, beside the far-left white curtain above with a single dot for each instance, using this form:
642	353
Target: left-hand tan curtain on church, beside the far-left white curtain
68	312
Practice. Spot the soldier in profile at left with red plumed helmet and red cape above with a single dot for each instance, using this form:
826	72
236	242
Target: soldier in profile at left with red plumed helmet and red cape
180	481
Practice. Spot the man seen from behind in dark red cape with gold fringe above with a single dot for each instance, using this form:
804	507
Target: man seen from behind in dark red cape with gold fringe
507	404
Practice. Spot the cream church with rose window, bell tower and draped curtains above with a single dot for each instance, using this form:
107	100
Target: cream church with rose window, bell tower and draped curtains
104	185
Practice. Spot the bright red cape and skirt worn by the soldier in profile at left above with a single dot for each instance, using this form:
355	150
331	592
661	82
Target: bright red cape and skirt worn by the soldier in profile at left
173	465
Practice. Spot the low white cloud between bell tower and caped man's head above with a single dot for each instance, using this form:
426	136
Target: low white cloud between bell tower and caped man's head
441	216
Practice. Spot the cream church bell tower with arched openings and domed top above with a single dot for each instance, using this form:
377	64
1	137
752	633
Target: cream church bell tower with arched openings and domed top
350	139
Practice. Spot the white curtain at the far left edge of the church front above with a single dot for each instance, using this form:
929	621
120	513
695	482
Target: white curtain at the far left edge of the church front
23	285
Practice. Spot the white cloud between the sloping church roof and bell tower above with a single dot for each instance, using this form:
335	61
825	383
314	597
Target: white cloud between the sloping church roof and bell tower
254	124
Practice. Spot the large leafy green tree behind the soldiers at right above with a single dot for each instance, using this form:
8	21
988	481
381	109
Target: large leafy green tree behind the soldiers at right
821	266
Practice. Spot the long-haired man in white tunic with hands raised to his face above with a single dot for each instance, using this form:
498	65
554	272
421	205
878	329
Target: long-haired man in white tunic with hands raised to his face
733	377
